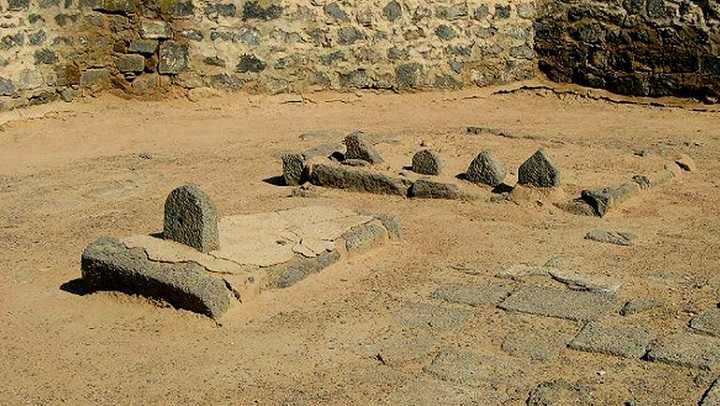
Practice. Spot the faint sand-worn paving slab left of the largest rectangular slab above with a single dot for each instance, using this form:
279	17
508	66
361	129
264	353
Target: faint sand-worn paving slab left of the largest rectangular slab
414	315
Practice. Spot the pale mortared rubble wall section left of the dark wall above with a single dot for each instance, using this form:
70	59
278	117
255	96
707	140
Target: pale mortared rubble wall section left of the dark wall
59	48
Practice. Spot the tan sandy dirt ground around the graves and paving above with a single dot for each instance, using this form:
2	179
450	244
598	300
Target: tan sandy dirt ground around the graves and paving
70	173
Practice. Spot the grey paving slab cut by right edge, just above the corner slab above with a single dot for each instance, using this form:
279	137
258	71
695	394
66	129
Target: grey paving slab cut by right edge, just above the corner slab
687	350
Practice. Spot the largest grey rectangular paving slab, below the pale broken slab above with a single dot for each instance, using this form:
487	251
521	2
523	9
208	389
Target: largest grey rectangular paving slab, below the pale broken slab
560	303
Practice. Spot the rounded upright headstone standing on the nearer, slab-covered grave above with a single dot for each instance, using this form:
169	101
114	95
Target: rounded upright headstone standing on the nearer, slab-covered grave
191	219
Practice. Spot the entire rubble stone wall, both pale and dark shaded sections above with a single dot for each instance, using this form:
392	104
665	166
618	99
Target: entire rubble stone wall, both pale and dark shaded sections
59	49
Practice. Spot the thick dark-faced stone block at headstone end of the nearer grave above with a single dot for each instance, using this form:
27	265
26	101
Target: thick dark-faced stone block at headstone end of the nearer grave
107	264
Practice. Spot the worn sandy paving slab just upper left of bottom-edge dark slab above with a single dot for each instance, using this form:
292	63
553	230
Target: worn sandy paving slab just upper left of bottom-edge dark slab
473	369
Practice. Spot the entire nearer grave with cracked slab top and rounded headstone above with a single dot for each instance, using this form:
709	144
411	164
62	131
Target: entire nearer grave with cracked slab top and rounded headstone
204	263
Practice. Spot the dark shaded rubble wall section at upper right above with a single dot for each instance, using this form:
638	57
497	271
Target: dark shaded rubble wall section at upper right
635	47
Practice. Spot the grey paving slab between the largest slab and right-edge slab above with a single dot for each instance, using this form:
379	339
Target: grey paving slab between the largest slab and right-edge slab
621	340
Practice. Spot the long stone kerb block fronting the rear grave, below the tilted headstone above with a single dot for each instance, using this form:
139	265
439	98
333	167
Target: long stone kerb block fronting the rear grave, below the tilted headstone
361	180
